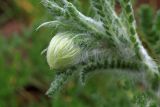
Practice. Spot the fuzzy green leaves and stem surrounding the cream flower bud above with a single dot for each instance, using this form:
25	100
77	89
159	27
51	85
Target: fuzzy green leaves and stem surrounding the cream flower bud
107	40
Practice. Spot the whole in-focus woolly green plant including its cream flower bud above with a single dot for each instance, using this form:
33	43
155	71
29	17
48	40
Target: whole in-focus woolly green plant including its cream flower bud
109	41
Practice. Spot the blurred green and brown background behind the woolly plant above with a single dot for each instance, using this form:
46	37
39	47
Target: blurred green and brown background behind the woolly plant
25	75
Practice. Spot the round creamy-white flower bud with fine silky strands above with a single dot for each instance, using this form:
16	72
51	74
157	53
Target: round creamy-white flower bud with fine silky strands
62	52
